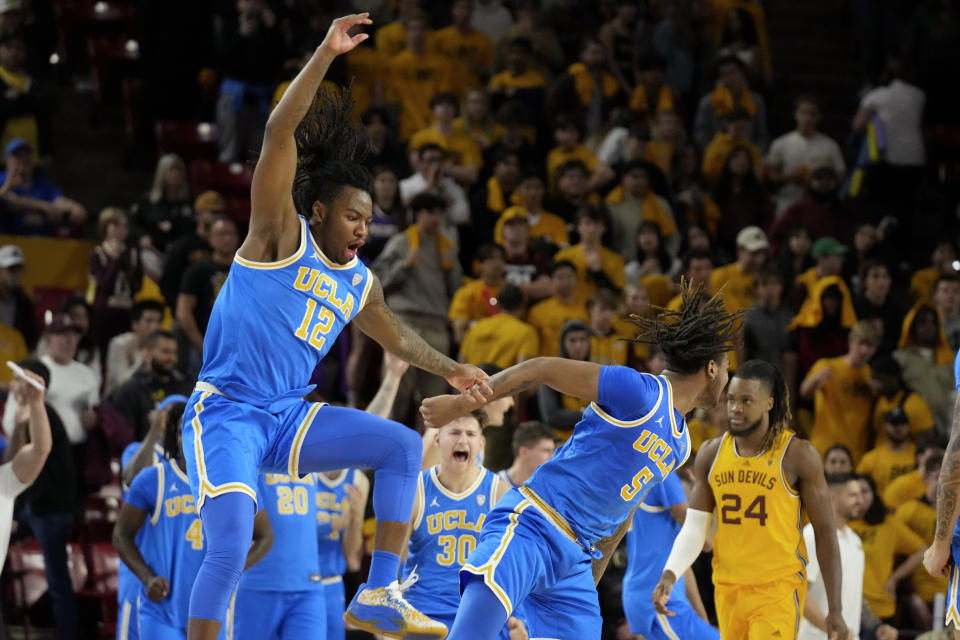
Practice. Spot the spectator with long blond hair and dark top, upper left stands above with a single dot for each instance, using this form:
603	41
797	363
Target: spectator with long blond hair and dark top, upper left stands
164	213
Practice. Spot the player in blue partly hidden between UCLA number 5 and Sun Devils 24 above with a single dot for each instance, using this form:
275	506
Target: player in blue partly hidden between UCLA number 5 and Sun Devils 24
654	526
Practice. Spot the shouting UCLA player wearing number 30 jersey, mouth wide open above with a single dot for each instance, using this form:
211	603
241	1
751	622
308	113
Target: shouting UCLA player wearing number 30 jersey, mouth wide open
453	499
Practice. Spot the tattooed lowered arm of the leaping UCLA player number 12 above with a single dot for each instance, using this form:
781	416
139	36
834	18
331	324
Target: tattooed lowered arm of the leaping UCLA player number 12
377	321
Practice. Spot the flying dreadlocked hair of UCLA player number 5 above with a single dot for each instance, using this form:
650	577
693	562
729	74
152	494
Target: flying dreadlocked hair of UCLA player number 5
703	330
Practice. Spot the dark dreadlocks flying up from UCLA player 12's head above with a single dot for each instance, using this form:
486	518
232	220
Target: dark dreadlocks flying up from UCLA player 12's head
331	147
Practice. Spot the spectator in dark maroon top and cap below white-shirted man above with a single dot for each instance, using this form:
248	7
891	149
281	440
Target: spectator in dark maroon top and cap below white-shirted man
820	210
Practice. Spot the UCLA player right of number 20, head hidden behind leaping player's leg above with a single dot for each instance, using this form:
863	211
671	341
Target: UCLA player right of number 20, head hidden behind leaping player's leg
341	501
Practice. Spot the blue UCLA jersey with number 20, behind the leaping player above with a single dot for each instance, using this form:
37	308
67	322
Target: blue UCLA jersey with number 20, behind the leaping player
292	563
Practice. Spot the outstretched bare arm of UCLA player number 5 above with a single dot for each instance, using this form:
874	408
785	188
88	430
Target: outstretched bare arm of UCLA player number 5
570	377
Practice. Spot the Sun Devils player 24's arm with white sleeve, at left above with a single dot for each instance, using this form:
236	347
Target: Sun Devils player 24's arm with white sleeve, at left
689	542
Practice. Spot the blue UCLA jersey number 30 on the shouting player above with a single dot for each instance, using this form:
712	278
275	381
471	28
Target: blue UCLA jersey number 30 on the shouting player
446	527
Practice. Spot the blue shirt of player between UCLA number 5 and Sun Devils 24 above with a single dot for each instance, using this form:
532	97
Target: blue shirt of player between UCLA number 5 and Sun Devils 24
649	542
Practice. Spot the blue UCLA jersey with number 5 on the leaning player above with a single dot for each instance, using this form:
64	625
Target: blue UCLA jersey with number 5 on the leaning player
626	442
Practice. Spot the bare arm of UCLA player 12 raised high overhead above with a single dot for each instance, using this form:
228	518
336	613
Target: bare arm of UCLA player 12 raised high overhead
270	194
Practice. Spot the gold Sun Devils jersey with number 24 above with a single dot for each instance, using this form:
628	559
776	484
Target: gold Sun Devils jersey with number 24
759	535
